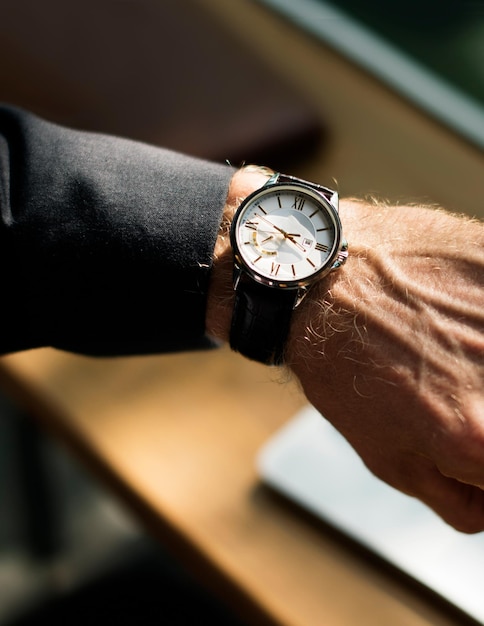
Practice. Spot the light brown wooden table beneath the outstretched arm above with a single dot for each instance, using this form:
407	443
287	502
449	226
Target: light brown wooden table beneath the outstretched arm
176	436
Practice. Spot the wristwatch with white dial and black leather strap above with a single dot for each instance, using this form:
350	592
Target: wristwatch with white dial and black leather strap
285	236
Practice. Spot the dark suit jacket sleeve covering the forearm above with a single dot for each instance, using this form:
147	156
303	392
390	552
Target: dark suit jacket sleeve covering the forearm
105	243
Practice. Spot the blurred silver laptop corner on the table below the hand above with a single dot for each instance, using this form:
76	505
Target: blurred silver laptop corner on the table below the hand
312	464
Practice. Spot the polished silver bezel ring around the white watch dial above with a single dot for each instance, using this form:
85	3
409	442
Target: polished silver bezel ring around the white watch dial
331	211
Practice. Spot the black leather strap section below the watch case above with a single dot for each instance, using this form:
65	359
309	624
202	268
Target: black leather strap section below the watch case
261	321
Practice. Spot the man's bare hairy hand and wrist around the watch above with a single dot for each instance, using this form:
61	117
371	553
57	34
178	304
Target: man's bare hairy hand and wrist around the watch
390	349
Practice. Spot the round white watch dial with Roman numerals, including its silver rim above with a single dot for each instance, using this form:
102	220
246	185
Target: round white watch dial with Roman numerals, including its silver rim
285	234
